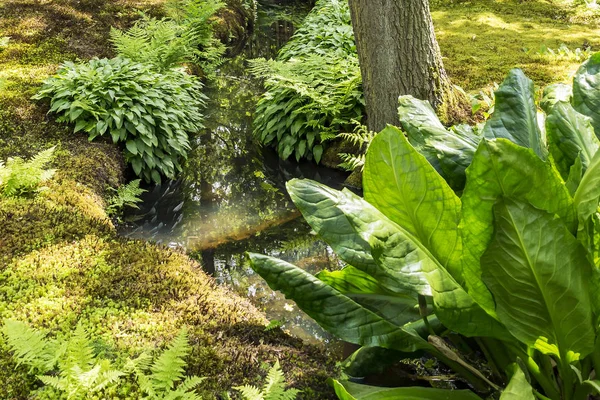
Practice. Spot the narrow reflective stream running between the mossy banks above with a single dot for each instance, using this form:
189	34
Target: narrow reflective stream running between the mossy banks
231	196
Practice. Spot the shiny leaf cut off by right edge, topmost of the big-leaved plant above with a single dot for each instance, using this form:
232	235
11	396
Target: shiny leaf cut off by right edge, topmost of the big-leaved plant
586	90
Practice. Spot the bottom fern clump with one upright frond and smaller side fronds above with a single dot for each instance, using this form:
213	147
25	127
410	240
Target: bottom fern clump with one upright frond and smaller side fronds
166	378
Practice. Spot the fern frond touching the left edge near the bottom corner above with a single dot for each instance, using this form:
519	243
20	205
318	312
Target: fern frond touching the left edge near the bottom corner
30	347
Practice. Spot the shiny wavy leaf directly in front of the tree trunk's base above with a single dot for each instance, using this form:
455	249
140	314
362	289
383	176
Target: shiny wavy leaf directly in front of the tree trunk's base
450	153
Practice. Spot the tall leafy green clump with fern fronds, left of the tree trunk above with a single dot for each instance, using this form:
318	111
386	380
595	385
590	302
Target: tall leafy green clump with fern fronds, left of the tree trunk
314	88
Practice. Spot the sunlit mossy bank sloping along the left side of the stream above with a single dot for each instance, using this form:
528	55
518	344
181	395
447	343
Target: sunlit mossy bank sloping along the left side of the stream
61	260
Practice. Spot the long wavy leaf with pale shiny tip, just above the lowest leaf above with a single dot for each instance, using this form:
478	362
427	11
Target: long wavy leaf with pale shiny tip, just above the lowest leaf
402	263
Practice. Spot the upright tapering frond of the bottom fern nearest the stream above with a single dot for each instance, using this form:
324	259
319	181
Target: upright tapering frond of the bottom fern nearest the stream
169	367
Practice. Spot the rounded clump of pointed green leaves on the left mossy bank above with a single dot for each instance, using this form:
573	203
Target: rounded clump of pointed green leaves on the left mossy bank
151	113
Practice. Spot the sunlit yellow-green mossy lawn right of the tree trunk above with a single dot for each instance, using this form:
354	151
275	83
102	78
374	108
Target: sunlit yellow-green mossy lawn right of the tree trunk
482	40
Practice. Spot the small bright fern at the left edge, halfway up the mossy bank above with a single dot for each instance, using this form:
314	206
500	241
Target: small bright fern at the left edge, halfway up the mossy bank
20	178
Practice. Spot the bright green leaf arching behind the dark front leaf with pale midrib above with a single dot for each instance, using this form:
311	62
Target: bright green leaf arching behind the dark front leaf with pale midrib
501	168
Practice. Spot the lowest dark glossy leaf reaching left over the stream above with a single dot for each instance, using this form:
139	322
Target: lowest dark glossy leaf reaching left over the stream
335	312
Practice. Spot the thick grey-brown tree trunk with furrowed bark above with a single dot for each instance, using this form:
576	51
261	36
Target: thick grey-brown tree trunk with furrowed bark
398	55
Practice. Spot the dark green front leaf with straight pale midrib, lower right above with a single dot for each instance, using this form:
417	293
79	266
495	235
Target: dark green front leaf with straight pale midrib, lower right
538	273
